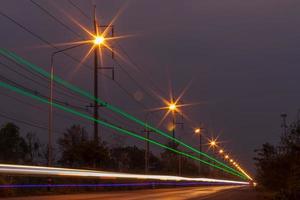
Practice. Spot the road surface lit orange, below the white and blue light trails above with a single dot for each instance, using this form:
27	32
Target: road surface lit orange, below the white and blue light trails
187	193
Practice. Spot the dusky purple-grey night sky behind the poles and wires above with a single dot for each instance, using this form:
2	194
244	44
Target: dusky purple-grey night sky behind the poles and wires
240	57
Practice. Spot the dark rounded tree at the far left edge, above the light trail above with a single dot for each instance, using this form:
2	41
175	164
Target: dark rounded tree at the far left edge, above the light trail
13	147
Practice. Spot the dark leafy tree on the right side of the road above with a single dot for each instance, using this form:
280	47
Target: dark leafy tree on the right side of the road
278	167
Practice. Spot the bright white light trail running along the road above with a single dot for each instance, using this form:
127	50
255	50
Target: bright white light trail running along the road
53	171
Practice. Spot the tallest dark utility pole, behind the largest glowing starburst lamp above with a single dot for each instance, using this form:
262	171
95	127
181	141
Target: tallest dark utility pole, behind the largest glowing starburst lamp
96	52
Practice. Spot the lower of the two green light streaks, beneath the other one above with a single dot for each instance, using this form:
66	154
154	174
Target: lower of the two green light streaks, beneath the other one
111	126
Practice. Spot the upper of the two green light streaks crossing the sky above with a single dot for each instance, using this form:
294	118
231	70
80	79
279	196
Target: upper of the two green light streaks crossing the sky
78	90
